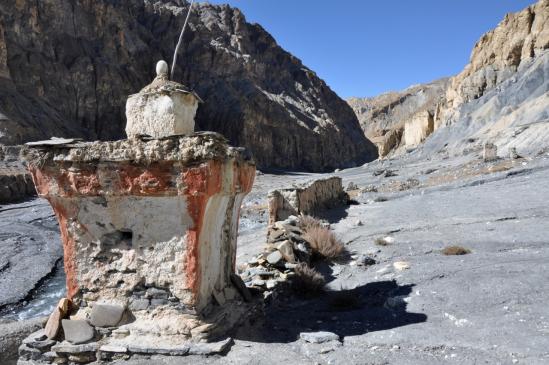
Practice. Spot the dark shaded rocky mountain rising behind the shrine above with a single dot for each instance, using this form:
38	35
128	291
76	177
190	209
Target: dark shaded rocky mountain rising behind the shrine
67	67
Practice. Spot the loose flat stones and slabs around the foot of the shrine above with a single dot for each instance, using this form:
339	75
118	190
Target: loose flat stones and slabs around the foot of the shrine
70	339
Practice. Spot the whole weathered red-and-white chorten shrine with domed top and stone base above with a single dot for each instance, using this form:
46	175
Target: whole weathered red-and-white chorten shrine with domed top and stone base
149	228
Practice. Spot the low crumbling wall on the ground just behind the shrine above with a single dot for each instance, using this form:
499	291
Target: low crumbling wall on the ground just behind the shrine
308	199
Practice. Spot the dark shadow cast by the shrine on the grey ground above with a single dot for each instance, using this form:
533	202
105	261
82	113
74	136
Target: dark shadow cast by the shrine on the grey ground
372	307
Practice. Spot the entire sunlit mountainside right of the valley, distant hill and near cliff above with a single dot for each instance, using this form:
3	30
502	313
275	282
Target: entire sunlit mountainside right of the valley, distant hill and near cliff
502	97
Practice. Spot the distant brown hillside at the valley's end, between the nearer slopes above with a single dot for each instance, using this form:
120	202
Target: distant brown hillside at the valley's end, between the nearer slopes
383	118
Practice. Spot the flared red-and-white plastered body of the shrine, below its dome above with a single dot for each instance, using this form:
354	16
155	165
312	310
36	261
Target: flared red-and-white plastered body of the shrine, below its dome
139	216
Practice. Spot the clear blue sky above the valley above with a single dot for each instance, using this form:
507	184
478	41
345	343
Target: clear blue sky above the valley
366	47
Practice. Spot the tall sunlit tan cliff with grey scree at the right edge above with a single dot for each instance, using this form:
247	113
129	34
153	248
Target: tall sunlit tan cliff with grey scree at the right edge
502	95
